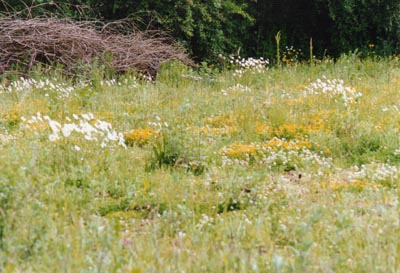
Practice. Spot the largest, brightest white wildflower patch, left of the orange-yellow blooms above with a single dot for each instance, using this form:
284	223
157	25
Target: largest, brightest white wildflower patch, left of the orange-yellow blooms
85	126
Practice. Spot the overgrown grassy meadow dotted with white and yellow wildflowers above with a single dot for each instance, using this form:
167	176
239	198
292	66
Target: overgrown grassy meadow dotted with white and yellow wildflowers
292	169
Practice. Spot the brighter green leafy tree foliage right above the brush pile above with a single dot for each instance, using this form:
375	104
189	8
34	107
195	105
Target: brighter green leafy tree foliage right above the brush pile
207	27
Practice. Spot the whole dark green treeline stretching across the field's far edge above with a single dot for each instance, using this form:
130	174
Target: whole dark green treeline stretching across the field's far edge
211	27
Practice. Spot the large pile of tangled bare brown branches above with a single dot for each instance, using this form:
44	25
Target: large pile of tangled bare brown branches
71	43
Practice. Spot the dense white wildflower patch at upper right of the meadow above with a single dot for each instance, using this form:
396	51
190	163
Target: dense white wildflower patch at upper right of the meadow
335	89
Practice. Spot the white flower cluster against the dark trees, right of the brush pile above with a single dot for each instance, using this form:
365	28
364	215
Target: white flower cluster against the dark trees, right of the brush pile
249	65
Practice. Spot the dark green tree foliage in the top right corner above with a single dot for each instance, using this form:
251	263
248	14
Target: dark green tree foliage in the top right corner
358	23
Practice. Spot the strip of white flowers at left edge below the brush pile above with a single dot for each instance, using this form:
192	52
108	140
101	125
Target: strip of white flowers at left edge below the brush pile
25	86
